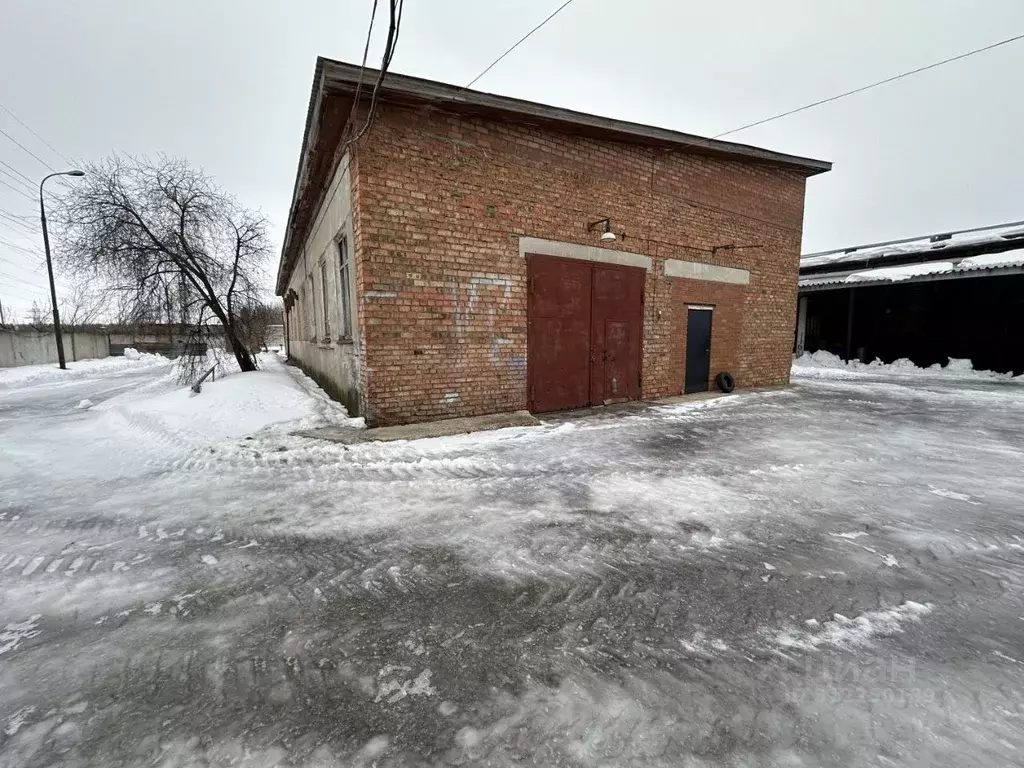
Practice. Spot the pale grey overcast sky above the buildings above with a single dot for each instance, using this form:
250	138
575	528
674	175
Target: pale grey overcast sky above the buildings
226	83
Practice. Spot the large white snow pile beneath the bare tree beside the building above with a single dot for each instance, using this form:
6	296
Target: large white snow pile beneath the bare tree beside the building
232	407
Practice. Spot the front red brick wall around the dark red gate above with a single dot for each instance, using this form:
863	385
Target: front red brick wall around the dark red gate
442	201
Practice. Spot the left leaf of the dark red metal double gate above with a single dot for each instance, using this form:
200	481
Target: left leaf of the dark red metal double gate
559	335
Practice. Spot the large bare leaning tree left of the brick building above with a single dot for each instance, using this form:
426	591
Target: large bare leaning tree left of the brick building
168	243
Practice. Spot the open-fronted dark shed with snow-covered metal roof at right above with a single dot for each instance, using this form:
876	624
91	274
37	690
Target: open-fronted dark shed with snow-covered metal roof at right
921	298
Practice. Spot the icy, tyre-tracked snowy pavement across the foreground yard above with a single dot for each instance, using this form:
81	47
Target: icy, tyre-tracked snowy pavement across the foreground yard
826	576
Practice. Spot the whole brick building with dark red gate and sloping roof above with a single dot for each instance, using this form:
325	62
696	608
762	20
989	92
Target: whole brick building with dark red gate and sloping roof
458	259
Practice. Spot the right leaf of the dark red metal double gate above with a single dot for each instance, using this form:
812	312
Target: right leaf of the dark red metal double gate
617	325
